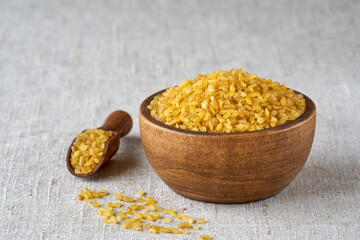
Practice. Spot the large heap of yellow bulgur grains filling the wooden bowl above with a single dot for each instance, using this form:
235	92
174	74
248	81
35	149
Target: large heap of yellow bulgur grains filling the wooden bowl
227	101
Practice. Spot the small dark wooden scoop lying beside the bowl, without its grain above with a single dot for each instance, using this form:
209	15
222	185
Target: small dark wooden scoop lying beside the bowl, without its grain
120	123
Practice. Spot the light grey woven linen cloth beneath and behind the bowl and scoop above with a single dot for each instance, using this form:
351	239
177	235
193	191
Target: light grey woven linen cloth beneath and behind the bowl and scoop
65	65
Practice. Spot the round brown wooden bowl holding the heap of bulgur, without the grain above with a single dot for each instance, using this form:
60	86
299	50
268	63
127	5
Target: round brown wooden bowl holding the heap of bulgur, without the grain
228	167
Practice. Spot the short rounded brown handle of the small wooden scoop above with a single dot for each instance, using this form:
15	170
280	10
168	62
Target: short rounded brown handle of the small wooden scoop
118	121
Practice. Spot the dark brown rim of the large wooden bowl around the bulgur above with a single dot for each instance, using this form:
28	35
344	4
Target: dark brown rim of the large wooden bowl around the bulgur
309	112
